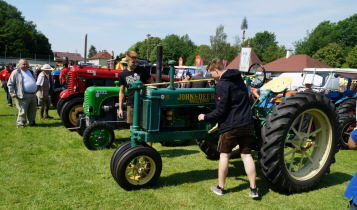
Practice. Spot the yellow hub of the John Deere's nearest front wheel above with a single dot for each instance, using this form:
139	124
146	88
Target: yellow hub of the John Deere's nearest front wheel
140	170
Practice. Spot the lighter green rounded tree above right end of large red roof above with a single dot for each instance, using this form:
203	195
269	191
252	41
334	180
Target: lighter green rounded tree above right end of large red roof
332	55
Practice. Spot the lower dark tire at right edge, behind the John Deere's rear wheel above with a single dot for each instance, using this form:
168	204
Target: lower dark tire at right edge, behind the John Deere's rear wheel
347	123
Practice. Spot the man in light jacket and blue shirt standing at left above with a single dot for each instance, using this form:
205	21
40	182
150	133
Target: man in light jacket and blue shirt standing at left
22	86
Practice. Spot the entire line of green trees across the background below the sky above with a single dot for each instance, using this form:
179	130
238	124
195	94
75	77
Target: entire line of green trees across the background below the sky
332	43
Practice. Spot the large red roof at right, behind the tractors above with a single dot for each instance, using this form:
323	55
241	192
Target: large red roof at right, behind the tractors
293	64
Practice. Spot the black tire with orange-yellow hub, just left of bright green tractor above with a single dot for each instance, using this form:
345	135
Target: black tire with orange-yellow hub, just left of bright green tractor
71	111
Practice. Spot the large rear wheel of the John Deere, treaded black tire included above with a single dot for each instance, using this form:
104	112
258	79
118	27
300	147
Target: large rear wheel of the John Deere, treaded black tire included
299	142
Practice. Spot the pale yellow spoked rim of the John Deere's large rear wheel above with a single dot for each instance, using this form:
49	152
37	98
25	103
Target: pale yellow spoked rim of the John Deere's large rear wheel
308	144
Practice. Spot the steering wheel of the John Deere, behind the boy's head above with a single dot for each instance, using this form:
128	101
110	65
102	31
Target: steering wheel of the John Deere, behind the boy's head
257	75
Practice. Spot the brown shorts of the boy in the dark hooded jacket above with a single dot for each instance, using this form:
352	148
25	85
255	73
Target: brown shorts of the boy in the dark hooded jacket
242	136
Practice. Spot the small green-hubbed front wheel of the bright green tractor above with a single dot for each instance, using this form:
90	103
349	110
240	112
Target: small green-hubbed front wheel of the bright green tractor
98	135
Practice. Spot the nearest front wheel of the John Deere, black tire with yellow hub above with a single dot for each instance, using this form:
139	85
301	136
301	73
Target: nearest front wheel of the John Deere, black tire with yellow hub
139	167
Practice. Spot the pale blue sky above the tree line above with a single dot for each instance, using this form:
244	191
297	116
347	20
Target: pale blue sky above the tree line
115	25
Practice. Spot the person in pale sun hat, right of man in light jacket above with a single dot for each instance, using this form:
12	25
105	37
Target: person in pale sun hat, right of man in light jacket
43	90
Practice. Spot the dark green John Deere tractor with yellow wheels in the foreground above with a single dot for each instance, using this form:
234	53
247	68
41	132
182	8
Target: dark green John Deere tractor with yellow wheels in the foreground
296	138
